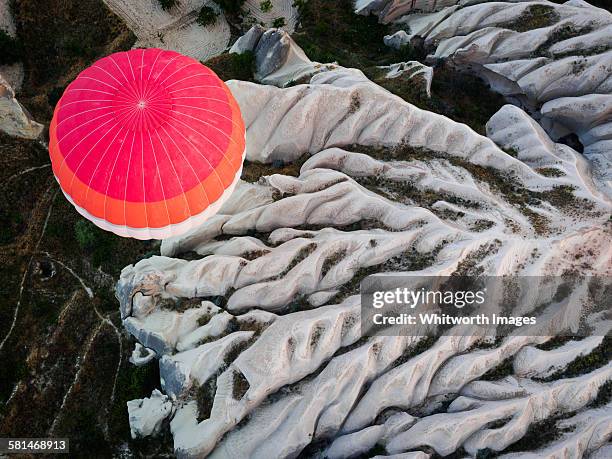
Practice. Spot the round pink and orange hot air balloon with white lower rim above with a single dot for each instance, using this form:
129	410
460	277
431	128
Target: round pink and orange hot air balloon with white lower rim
147	143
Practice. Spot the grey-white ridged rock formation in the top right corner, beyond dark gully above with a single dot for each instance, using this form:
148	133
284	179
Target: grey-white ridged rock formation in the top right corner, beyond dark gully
552	59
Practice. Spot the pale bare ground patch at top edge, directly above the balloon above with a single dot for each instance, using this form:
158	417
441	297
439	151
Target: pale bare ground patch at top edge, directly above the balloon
174	29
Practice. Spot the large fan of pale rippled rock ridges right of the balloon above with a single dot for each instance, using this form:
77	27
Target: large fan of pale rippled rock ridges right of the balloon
277	364
